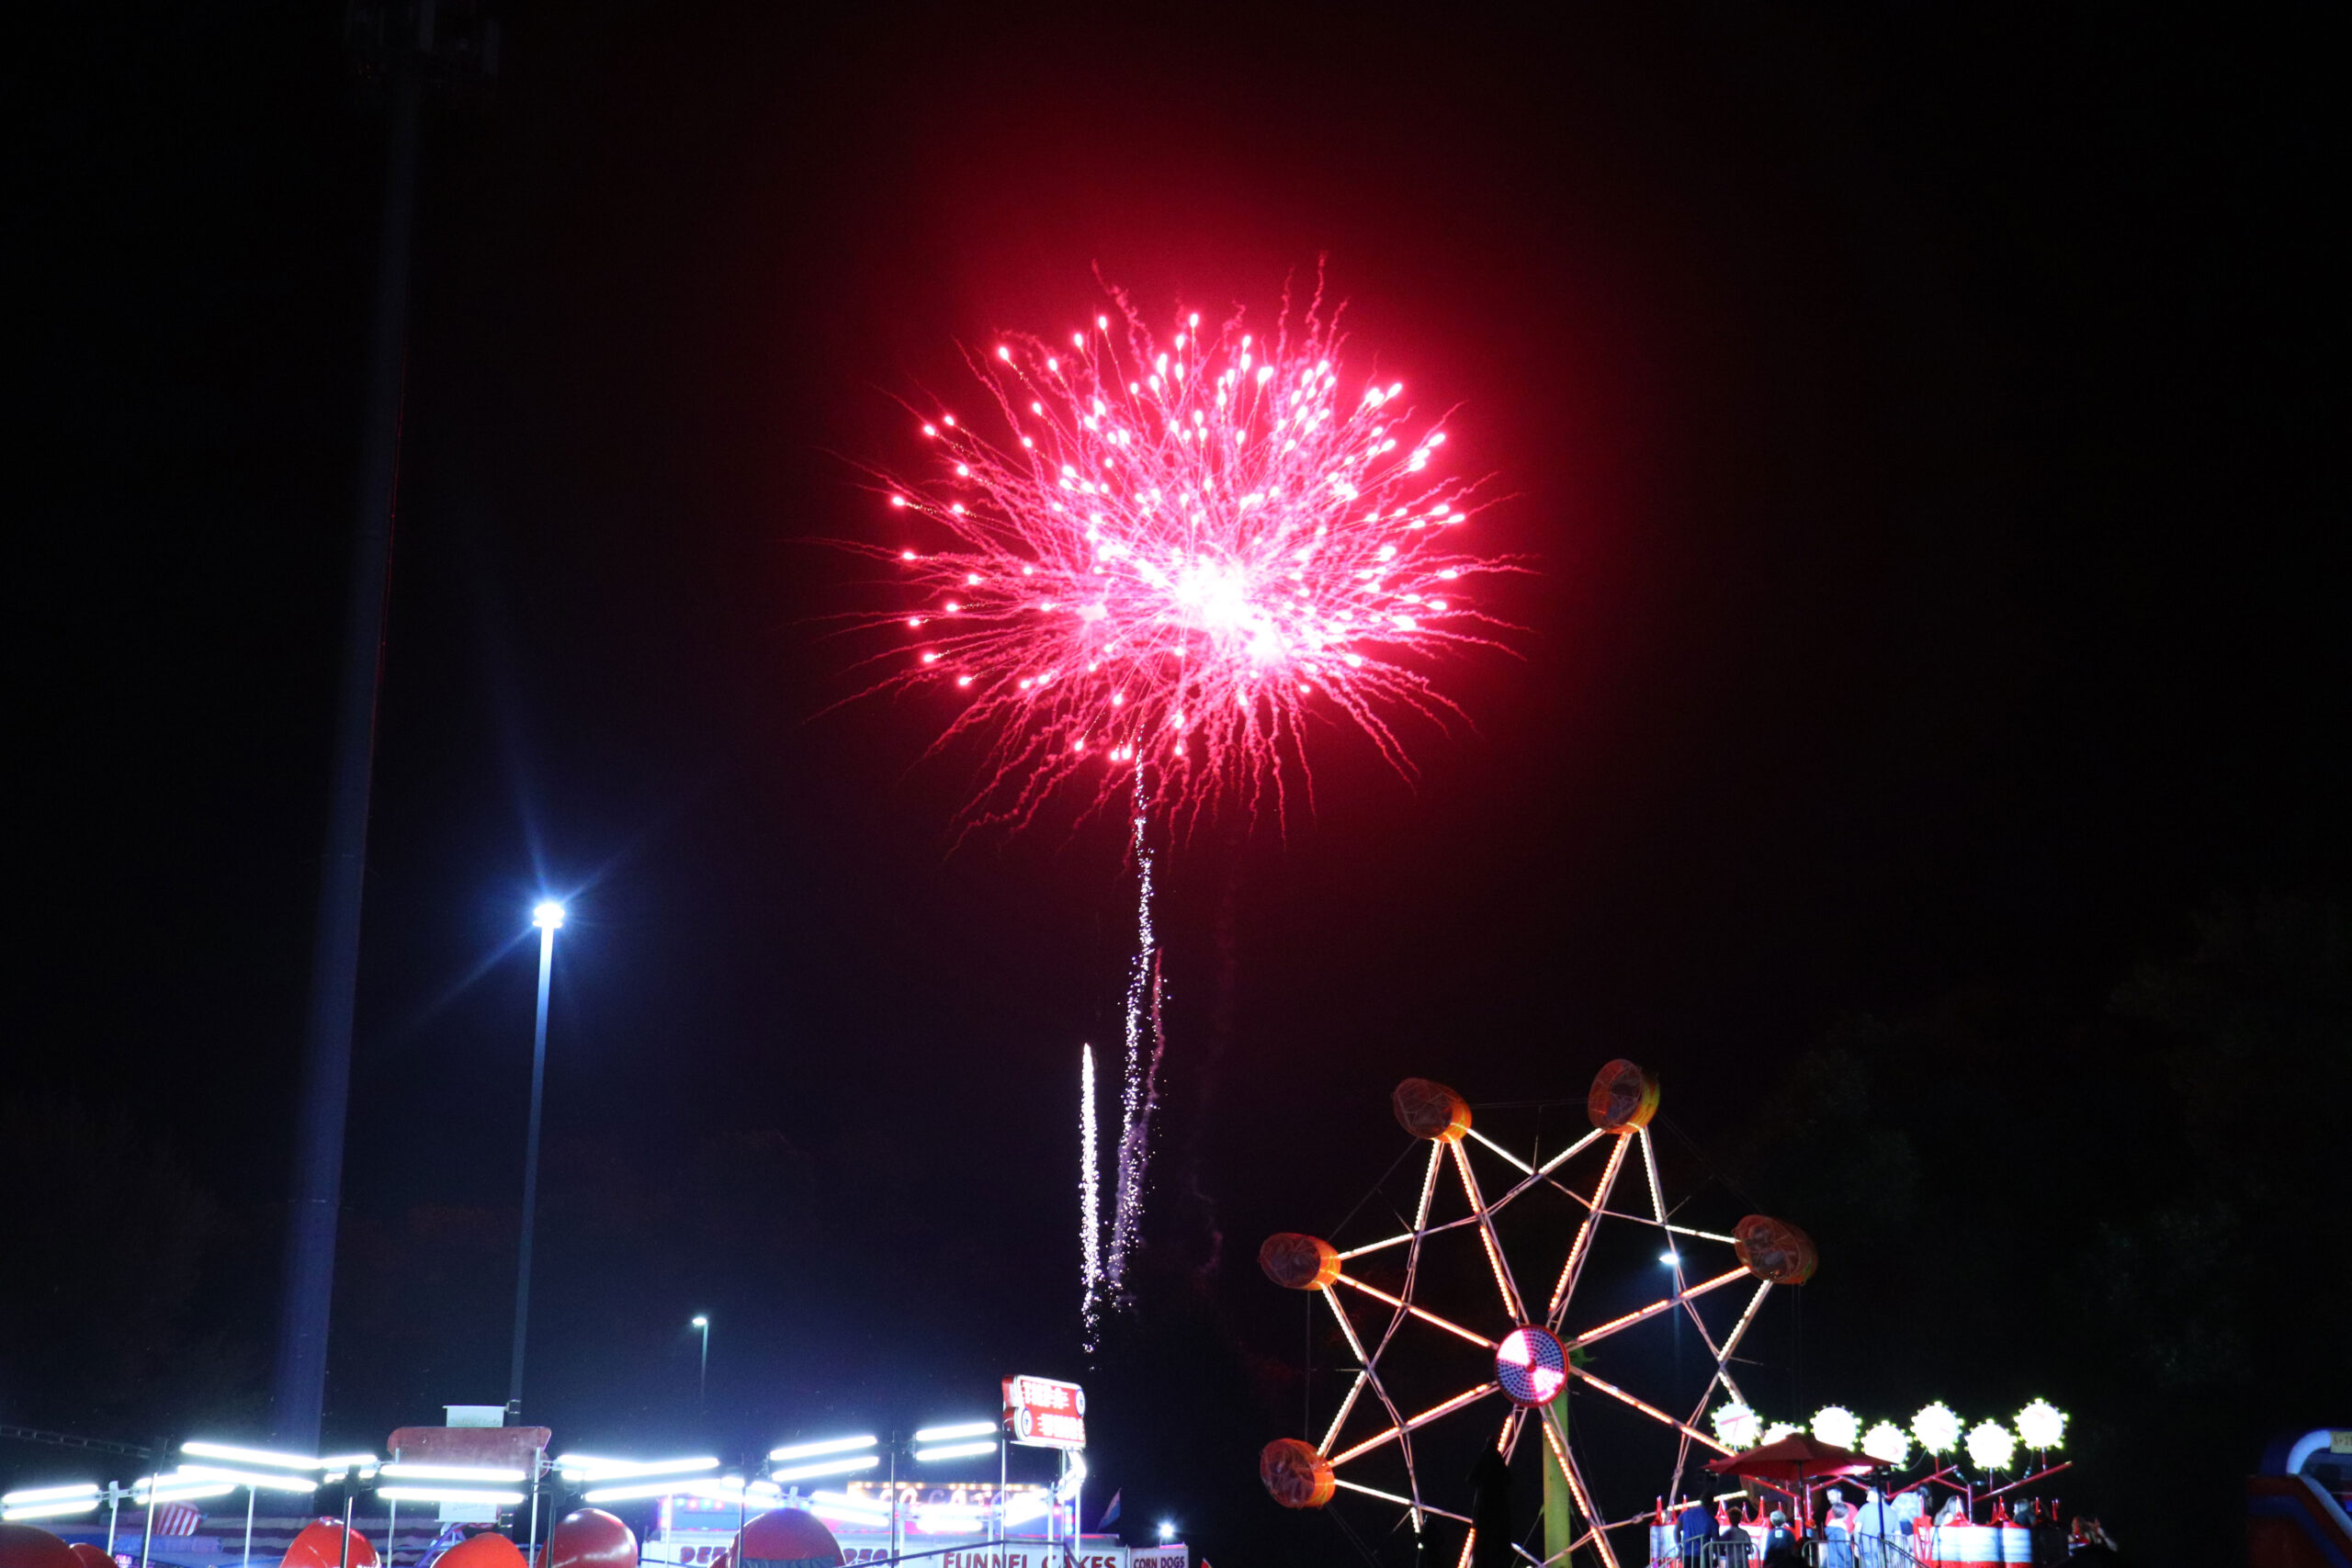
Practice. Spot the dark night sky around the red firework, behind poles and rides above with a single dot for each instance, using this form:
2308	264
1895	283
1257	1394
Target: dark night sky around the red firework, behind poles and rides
1920	424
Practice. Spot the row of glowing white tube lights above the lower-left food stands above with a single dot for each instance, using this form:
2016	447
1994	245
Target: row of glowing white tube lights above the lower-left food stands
215	1470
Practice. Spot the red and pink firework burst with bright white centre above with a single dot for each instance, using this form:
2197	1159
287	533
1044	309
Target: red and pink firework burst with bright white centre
1172	556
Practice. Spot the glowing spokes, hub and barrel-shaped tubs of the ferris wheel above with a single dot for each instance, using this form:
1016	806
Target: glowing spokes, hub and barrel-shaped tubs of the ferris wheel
1535	1355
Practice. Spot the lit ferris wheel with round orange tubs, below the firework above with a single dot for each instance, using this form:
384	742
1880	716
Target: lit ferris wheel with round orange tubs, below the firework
1419	1320
